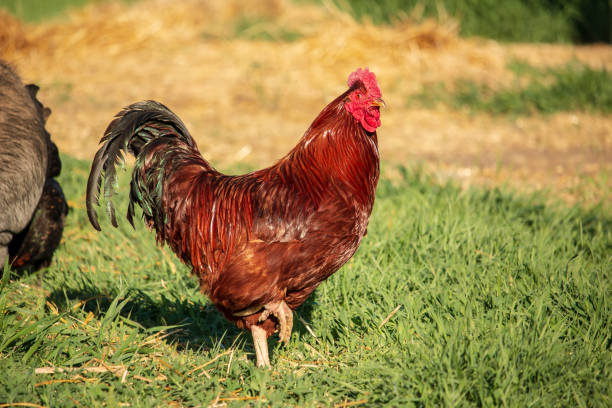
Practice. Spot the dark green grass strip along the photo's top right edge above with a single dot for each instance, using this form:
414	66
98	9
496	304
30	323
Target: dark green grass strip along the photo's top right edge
508	20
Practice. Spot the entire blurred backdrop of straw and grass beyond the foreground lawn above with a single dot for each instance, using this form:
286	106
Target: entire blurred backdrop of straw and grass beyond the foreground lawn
497	92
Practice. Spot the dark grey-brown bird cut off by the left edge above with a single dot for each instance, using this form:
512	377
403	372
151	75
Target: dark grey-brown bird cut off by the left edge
32	204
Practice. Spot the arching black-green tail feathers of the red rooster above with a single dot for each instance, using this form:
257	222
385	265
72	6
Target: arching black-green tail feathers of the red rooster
130	131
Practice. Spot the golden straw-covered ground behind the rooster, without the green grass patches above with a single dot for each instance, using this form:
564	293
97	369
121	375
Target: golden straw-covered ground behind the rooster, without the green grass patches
247	99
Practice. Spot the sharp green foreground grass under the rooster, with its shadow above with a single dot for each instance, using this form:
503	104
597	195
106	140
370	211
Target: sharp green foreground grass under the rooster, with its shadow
504	301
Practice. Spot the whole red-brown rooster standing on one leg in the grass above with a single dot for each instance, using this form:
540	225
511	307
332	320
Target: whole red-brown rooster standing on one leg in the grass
259	243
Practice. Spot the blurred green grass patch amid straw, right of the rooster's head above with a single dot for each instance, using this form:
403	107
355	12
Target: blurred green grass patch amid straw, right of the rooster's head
573	87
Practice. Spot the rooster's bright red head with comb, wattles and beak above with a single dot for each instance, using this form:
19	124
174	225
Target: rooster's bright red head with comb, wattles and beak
364	100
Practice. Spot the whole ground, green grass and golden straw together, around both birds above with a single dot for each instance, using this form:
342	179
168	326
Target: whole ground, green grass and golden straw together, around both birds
459	296
